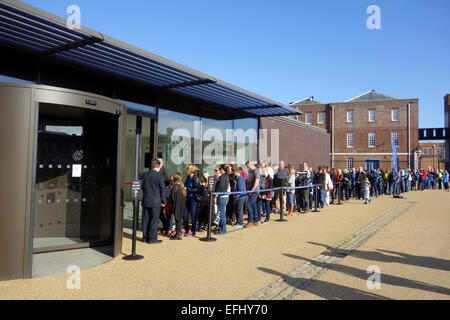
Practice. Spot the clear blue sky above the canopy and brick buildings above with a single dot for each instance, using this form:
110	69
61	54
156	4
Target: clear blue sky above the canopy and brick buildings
289	50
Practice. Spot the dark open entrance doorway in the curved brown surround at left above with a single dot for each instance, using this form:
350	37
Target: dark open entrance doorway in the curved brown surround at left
75	185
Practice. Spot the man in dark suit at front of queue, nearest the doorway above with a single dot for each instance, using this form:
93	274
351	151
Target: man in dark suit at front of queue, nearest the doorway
154	198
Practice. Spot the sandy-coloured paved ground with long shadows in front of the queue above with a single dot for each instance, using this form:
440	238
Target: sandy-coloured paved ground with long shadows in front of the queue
408	239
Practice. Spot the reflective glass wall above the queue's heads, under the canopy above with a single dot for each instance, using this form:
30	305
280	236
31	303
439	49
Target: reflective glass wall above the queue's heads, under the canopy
184	139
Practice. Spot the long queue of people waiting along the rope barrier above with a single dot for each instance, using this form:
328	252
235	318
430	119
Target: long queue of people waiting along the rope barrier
183	206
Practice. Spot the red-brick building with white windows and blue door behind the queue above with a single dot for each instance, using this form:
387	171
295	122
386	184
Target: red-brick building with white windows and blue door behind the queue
362	128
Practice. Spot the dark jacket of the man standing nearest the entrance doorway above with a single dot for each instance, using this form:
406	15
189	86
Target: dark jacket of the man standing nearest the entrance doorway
154	189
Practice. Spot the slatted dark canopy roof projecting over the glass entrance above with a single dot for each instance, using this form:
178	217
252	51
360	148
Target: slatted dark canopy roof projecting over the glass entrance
47	35
